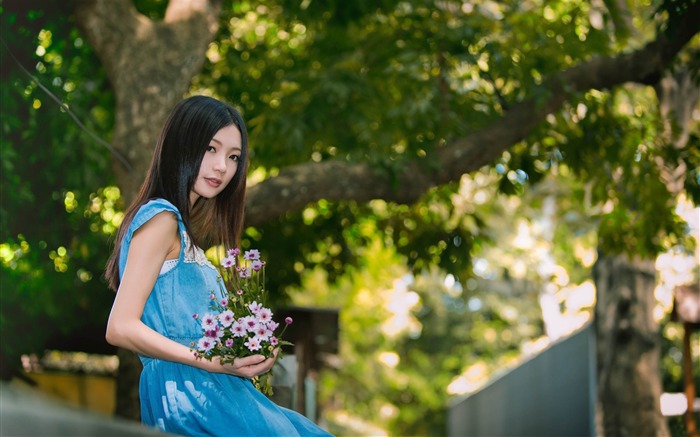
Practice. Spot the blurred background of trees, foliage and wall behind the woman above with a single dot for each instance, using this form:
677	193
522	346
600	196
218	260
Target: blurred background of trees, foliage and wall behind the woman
485	213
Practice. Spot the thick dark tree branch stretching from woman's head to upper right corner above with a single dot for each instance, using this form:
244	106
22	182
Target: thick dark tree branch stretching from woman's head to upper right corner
299	185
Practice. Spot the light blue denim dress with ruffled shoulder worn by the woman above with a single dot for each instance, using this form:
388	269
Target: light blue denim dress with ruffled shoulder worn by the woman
181	399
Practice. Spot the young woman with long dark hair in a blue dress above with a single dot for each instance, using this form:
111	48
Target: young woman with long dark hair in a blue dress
193	197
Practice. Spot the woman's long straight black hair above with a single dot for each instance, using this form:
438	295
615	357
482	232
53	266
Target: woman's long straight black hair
187	132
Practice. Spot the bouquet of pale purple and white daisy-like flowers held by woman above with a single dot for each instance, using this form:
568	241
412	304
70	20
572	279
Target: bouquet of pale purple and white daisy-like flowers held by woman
239	324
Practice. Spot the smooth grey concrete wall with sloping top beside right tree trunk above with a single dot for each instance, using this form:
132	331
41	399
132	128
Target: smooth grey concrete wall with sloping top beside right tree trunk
552	394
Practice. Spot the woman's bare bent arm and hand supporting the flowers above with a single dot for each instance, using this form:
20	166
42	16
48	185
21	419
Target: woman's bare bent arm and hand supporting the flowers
153	243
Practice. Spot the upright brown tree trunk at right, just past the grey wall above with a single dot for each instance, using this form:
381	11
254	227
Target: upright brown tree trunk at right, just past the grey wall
628	349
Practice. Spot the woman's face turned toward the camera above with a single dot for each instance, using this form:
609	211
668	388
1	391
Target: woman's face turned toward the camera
219	164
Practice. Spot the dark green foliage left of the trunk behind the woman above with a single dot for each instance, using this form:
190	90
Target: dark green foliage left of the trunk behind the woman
52	237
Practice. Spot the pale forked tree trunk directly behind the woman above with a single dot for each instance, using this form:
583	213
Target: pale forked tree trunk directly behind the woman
150	65
